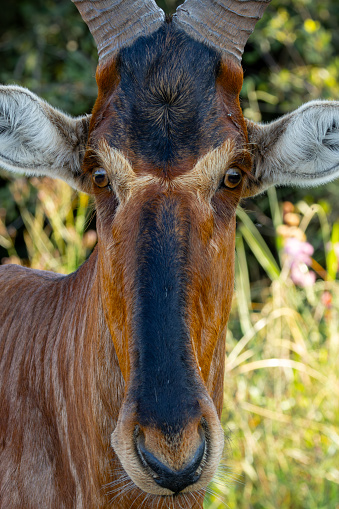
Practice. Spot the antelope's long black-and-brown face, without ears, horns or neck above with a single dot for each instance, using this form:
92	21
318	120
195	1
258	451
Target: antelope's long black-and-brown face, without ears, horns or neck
168	160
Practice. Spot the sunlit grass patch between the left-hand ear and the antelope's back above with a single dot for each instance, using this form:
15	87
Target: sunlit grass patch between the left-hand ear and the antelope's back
55	233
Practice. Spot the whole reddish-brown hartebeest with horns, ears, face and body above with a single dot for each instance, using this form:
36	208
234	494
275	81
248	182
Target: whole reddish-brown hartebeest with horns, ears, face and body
111	377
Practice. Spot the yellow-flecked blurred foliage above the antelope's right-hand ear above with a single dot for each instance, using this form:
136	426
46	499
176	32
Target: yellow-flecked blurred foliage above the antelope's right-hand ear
291	58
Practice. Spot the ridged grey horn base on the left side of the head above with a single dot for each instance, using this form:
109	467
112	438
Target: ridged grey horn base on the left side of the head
117	23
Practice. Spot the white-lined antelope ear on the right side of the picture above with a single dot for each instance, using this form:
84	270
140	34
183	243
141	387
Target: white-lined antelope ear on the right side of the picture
299	149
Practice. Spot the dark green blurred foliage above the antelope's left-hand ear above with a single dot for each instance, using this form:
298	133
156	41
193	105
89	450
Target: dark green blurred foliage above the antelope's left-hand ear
46	47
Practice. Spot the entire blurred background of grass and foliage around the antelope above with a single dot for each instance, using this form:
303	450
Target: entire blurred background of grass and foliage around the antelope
281	412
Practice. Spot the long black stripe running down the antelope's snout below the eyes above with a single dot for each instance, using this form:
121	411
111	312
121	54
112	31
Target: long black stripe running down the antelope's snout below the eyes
163	373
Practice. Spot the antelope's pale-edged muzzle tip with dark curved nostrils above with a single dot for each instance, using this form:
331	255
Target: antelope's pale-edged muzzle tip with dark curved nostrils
167	460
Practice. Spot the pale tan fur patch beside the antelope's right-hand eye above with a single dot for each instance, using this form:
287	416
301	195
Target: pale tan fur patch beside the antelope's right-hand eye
210	169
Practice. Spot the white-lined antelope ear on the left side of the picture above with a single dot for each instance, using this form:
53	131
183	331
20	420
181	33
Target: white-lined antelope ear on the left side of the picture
37	139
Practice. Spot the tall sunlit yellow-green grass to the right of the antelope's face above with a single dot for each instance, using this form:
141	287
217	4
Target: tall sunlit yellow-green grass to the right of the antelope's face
281	411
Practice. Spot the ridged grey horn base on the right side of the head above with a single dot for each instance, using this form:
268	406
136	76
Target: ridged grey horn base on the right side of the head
224	24
